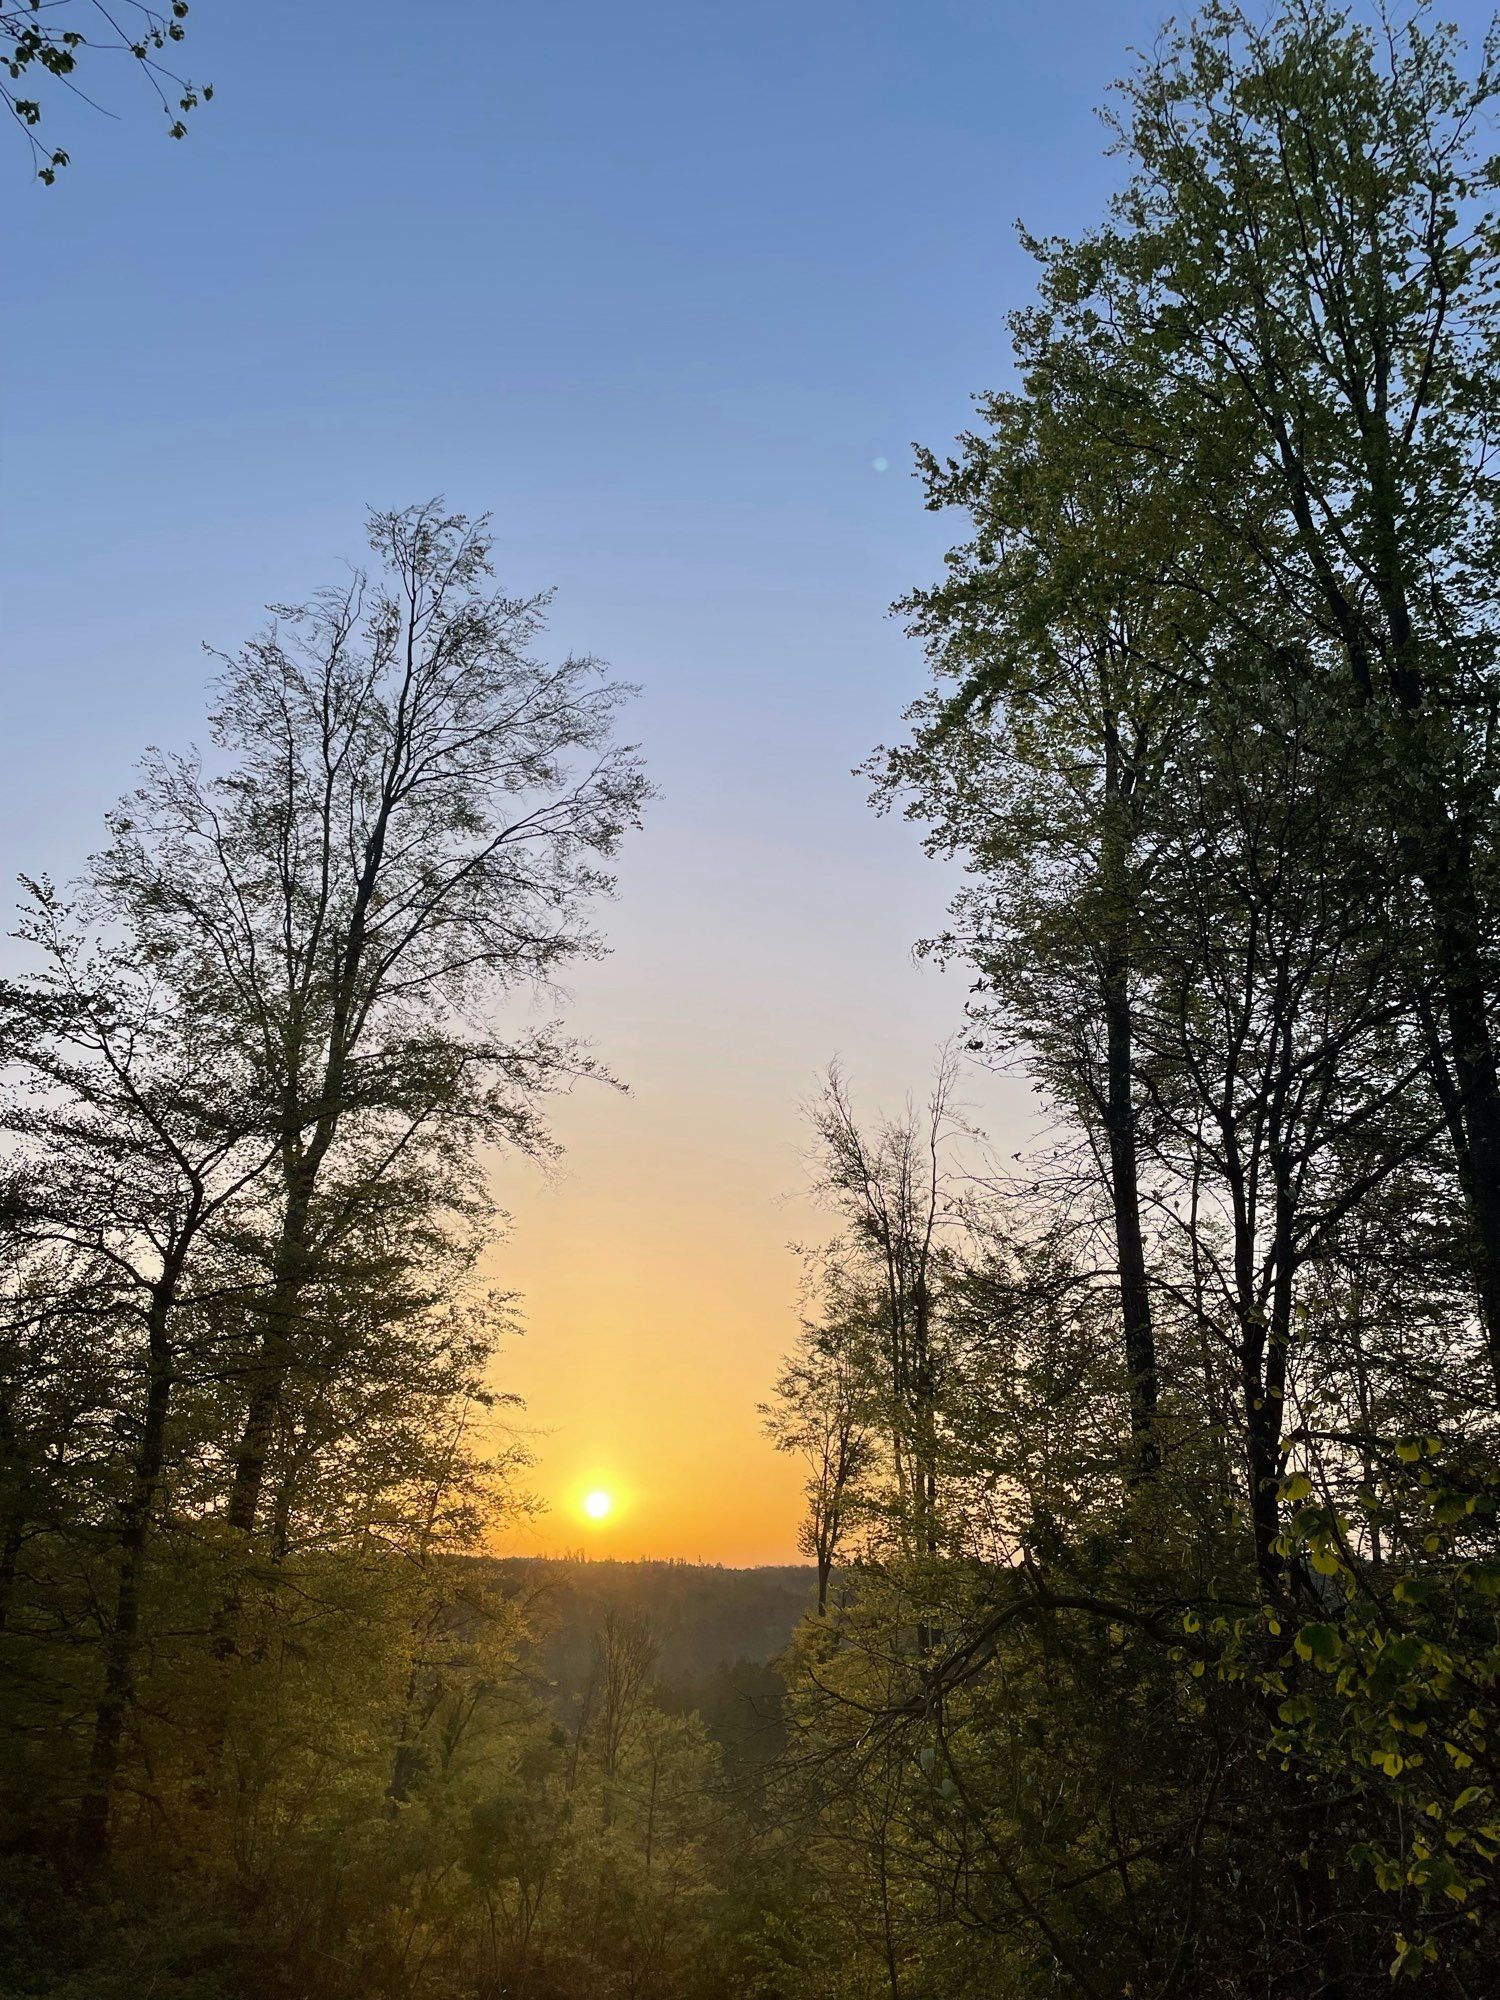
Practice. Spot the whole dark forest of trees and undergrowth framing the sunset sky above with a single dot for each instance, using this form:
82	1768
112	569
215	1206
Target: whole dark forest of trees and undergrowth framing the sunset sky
1149	1635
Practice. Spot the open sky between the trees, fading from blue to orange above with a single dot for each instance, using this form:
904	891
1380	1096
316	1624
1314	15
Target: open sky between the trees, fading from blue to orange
657	285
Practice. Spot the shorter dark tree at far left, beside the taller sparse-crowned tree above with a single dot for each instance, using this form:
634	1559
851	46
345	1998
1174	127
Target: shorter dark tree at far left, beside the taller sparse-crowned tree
137	1133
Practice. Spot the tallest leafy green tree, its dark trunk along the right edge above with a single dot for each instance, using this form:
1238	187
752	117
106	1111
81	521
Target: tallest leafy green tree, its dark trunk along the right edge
1303	283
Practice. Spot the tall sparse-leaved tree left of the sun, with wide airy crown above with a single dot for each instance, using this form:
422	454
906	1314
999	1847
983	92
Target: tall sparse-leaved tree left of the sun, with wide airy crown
407	831
